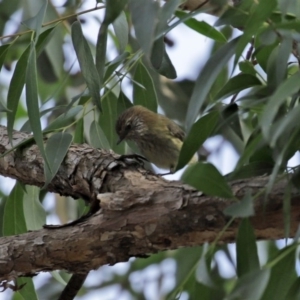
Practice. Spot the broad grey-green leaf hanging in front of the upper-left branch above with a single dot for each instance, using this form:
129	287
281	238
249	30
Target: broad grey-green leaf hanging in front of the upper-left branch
57	147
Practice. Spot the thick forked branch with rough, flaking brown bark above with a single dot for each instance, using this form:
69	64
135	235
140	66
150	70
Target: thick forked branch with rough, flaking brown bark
141	213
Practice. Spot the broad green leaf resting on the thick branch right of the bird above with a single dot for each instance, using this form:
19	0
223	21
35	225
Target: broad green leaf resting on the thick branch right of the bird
206	178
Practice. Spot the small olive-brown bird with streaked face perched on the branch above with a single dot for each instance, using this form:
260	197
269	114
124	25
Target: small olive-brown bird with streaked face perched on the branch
158	138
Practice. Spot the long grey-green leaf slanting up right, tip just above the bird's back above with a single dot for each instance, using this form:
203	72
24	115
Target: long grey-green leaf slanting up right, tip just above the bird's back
206	79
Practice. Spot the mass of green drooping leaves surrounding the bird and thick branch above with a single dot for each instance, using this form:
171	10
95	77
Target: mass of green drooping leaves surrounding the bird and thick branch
247	92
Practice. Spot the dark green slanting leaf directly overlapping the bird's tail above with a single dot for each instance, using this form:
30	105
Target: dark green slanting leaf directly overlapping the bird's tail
200	131
